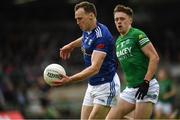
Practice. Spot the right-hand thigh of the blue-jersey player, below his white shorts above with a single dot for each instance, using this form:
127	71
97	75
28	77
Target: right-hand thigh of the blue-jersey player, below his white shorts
99	111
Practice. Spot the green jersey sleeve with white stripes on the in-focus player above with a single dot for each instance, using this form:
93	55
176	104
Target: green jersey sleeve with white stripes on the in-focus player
142	39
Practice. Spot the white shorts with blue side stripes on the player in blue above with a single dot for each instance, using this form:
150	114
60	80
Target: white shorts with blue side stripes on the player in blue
105	94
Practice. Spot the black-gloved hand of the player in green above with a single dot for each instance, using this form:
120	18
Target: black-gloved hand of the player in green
143	89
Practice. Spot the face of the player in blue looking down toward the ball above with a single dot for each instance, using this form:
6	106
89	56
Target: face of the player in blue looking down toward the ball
83	19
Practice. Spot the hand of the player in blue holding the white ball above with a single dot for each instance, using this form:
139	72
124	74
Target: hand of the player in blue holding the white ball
60	82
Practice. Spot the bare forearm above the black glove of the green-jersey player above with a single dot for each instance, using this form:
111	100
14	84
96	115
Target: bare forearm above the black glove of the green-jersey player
152	67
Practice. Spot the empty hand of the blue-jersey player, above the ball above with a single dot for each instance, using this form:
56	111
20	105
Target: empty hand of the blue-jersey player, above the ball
65	52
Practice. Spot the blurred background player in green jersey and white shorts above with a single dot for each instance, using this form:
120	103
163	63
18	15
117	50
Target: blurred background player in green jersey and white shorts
167	92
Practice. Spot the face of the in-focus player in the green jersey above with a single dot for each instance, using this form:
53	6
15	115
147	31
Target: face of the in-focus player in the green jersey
122	22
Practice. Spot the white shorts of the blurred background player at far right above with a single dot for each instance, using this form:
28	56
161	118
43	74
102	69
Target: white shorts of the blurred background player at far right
166	108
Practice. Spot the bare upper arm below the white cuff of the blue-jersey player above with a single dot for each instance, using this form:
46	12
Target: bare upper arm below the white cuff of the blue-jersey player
97	59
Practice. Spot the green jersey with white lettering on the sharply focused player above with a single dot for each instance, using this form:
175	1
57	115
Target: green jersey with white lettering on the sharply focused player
133	61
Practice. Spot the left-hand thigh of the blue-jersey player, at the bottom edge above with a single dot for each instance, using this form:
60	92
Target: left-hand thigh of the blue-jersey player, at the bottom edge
85	111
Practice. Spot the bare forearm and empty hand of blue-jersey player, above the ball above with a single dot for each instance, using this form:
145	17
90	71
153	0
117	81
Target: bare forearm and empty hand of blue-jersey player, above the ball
65	51
